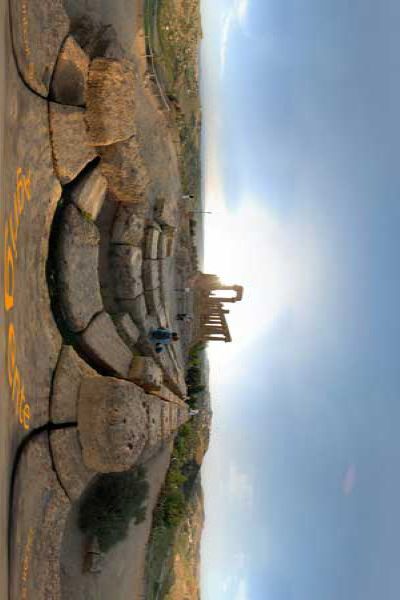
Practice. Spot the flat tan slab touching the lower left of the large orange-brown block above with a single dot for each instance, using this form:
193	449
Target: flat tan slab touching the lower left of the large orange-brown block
71	150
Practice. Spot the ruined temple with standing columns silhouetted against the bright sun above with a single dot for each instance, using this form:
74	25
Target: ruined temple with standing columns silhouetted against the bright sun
211	297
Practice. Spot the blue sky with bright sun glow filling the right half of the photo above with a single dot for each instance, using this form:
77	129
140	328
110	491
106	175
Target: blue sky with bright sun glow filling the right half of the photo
301	149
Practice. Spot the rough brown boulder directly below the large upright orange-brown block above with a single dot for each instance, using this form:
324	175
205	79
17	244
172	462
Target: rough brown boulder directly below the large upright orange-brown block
125	171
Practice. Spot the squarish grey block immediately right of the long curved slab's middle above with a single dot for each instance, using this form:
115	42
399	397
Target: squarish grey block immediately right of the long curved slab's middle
126	264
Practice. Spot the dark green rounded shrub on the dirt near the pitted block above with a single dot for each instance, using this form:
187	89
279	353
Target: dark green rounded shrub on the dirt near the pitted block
111	503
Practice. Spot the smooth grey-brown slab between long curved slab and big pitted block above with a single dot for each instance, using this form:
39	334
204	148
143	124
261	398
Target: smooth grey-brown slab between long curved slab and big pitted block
104	348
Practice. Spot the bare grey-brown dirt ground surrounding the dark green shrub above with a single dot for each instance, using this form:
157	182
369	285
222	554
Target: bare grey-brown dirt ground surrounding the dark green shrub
122	576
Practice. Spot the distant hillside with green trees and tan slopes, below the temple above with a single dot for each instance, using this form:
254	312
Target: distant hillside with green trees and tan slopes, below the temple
173	557
